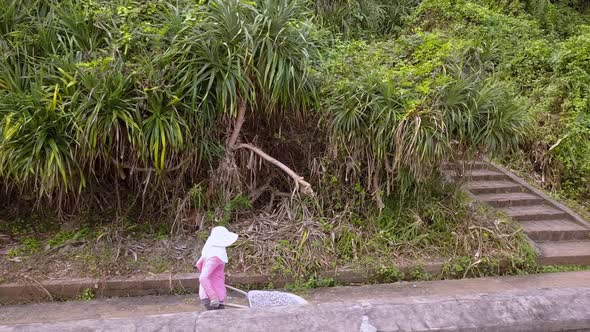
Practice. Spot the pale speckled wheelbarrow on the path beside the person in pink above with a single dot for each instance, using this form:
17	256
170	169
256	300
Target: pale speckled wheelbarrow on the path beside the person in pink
265	299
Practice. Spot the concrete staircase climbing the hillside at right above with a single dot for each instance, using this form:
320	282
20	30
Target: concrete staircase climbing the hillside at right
560	236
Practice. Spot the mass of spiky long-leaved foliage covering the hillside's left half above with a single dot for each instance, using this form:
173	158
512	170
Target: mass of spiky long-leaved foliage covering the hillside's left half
82	98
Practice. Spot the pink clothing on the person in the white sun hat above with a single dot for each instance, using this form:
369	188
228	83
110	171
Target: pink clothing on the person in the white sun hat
211	279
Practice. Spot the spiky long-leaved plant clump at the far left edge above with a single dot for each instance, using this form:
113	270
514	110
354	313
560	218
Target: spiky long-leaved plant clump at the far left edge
37	149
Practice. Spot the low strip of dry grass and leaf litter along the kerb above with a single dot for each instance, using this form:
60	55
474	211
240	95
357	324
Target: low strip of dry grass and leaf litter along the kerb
440	225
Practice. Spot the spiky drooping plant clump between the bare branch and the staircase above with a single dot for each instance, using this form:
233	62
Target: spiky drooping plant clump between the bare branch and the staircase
393	123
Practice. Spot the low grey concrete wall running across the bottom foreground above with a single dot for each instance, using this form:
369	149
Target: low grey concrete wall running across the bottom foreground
562	309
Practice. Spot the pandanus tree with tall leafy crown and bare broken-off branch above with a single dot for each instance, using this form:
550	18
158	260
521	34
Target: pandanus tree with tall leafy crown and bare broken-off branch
244	58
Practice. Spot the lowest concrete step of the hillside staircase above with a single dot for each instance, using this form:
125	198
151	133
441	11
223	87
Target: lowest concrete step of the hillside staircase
564	253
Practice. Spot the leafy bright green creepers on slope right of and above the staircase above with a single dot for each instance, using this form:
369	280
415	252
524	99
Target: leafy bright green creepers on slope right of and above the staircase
541	50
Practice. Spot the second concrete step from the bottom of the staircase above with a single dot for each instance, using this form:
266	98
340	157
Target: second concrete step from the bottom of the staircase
555	230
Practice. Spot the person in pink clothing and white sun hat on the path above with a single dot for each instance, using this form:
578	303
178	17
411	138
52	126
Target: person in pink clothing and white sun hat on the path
212	267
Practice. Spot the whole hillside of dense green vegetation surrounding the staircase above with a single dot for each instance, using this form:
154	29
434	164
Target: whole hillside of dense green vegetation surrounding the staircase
316	127
